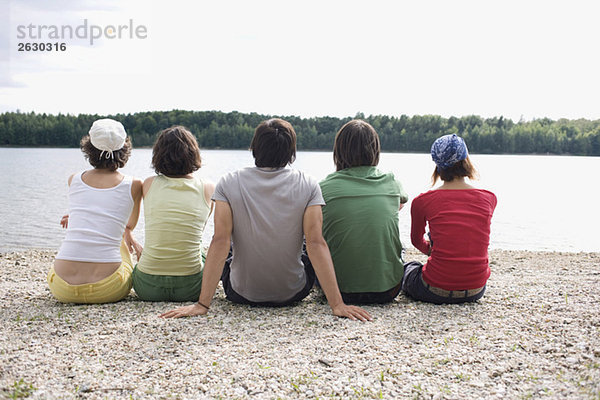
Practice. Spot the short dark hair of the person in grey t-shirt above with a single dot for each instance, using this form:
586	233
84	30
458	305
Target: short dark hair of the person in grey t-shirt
274	144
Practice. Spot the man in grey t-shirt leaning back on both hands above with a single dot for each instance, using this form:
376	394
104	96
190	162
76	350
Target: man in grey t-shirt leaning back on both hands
264	212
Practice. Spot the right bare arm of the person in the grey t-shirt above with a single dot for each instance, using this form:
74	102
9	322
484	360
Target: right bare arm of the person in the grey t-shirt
318	251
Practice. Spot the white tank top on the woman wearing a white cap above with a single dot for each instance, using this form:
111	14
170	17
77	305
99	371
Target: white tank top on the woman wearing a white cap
97	219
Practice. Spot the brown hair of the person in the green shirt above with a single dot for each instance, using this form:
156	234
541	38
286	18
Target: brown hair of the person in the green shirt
356	144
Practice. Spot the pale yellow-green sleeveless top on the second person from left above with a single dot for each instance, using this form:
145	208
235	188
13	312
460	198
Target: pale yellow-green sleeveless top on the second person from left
175	212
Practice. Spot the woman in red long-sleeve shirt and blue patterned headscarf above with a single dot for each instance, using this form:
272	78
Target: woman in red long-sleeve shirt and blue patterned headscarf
459	218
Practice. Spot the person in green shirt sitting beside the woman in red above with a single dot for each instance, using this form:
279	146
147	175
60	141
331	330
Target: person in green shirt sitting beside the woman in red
360	218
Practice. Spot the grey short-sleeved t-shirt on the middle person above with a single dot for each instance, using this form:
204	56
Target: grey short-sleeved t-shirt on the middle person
268	207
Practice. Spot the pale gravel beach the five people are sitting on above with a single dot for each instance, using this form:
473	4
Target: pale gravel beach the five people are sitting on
535	334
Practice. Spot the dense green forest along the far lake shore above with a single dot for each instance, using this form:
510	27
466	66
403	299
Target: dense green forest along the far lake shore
233	130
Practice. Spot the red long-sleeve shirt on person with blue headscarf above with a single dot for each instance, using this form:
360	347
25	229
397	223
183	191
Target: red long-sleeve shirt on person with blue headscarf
459	225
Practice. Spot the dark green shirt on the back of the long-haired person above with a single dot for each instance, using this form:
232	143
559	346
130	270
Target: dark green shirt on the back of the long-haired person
360	224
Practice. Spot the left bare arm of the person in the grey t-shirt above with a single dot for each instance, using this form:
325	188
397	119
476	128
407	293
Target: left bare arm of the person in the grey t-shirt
213	268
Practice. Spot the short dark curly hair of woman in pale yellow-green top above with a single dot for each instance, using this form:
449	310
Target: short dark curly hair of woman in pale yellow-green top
176	152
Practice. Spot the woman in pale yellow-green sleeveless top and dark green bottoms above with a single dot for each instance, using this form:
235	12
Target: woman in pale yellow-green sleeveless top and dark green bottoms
177	205
